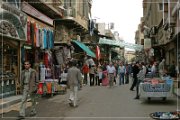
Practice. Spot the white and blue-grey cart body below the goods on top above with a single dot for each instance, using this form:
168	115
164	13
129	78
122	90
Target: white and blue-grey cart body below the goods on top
161	90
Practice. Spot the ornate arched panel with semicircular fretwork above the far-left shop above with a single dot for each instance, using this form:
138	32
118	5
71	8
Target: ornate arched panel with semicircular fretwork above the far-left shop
13	22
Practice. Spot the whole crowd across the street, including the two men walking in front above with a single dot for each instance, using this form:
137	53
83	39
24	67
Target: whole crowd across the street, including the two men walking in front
105	74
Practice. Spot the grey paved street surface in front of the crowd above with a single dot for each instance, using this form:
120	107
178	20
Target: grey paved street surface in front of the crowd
99	102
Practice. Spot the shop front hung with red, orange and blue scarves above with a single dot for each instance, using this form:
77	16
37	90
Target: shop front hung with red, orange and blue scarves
39	49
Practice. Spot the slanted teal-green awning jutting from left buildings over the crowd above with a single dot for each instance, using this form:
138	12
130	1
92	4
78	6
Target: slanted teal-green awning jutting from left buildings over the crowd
85	48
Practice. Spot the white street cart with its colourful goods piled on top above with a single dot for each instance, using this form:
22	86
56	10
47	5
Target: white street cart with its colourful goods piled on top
156	88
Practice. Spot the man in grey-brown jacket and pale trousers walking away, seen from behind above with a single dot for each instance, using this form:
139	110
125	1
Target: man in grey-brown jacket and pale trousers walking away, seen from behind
73	78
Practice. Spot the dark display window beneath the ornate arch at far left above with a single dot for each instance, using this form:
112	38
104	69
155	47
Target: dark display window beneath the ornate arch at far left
8	69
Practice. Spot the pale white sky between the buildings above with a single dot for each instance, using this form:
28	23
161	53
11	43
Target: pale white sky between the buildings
125	14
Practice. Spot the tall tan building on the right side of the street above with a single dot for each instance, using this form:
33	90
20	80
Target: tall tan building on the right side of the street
158	26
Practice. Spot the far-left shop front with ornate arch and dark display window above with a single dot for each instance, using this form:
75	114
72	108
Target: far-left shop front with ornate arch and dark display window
13	35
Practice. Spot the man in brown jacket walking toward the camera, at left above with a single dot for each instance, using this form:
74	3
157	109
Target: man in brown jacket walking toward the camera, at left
29	85
